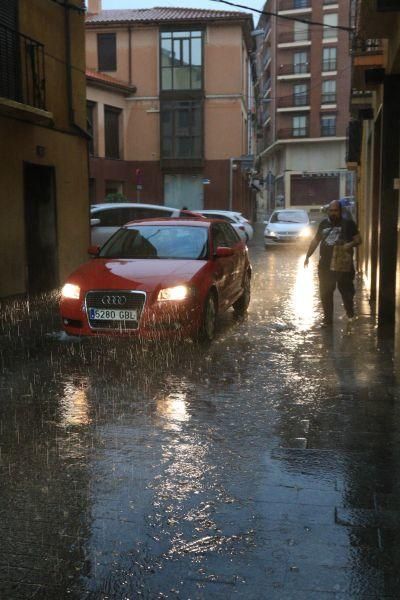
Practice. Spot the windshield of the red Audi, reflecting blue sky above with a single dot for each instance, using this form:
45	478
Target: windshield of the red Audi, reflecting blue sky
157	241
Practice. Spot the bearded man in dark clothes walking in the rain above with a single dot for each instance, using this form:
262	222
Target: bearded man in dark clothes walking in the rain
335	231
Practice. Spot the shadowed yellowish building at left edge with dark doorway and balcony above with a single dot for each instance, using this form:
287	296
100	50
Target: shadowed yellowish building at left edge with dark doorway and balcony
44	231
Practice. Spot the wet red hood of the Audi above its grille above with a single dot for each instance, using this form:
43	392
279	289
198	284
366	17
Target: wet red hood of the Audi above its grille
141	274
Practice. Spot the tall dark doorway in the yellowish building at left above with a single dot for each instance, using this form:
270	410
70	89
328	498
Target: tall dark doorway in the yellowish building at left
40	229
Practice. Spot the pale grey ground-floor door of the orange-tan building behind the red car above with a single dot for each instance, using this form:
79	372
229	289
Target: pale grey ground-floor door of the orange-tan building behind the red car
184	190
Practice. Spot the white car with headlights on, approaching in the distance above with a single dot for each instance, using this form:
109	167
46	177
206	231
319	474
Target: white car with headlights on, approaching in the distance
287	226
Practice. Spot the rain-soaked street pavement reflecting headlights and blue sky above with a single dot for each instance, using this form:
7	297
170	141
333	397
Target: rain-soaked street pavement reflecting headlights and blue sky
262	466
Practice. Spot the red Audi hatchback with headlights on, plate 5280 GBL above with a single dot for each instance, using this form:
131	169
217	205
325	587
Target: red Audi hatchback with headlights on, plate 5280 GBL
157	278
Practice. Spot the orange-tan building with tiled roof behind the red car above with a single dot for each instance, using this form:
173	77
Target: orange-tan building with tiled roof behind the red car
169	102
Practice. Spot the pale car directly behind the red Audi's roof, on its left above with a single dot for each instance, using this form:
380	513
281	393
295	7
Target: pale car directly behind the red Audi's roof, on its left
106	218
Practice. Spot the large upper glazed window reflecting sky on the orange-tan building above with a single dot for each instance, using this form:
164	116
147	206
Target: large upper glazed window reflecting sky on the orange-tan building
181	60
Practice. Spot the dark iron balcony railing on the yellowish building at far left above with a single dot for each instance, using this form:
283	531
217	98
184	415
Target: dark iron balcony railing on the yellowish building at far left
22	72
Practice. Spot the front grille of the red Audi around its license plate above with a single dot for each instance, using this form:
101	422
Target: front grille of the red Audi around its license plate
115	300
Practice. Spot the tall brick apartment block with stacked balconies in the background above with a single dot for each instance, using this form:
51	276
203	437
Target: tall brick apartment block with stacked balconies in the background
303	90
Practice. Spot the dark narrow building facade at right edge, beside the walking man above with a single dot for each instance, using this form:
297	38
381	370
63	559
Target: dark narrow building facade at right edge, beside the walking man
374	150
